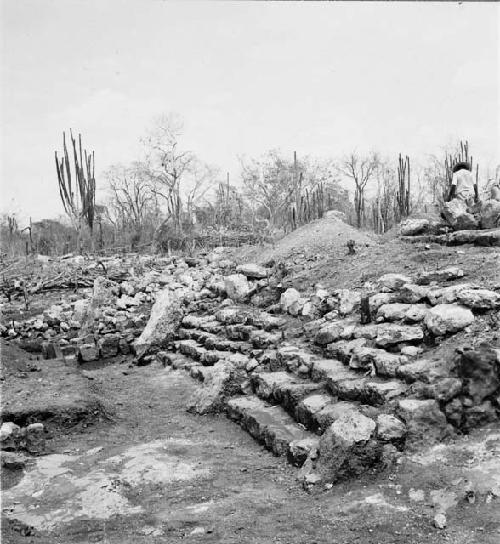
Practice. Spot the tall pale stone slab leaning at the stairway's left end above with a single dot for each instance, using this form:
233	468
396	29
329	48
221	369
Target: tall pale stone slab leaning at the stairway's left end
166	315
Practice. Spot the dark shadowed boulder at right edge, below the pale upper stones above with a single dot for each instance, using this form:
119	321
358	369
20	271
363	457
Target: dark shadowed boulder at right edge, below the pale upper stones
478	369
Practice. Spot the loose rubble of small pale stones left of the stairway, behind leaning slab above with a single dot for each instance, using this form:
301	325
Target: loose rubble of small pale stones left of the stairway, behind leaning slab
109	319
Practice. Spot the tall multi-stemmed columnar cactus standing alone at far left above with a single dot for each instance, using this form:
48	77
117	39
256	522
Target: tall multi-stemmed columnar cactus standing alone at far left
77	186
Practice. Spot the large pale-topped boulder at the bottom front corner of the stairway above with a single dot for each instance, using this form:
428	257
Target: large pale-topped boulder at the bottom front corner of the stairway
348	447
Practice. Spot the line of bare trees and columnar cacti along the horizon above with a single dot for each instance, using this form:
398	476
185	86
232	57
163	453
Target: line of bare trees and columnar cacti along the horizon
171	199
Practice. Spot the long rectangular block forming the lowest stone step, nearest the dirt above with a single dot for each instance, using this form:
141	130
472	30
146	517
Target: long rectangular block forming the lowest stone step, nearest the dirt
272	426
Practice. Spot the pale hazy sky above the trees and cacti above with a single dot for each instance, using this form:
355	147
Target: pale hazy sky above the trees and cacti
317	78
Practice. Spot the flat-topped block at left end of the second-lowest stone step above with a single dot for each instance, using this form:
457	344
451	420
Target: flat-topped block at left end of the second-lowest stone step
283	388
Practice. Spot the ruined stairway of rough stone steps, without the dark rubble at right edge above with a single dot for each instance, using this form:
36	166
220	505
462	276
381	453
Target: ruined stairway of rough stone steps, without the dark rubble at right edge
336	374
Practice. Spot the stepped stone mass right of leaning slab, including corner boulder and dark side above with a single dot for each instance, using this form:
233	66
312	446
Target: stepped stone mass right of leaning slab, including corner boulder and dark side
340	381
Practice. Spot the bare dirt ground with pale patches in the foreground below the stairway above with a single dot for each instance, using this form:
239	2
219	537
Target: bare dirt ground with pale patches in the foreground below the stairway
155	473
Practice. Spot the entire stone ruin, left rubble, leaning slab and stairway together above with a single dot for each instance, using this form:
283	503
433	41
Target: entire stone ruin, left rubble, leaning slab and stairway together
336	380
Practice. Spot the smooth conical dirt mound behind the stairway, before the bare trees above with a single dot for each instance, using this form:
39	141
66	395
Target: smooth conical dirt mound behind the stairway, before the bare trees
329	234
